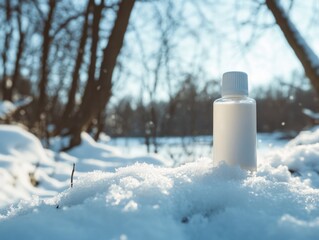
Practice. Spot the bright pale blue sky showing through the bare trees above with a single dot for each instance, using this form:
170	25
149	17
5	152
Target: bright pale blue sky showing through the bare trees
207	43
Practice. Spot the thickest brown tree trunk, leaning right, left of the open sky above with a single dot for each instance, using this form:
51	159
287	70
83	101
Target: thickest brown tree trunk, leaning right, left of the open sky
102	92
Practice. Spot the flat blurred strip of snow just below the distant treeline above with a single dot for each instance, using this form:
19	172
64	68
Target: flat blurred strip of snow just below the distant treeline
189	149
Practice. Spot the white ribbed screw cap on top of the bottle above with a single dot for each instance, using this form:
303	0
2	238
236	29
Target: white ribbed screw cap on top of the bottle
234	83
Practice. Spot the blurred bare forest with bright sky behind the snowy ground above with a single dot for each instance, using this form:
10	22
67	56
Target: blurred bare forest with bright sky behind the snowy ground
153	68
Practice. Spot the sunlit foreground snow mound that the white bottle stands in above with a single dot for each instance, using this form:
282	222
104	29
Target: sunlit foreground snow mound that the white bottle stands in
193	201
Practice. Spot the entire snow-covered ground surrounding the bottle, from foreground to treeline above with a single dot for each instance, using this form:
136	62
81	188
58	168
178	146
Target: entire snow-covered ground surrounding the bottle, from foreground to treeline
116	196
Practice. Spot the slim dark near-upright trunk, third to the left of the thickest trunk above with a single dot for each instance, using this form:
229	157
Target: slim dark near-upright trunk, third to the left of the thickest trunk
47	39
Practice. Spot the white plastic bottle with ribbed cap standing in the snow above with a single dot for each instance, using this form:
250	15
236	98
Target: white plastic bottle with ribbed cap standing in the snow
234	131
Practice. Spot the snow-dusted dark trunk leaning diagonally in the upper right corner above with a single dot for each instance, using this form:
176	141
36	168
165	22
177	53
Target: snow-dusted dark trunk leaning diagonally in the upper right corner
305	54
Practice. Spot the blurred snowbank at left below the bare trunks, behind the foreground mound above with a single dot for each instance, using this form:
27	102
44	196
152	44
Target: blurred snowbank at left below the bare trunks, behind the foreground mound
27	169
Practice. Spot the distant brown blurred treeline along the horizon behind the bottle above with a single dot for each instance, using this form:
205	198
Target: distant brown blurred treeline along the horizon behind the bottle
189	112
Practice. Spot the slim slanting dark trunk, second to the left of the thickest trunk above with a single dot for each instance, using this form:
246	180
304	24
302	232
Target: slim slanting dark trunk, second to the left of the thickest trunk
68	110
